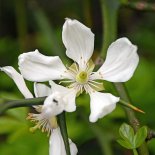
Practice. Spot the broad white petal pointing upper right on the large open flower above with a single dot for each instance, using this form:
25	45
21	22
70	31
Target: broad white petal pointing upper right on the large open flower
121	62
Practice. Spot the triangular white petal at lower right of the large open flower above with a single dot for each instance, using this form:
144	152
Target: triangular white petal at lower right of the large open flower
101	104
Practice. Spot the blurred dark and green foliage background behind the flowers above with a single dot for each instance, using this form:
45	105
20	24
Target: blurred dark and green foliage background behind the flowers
29	24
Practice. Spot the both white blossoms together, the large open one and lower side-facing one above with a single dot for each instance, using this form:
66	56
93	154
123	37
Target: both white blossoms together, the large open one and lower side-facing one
119	66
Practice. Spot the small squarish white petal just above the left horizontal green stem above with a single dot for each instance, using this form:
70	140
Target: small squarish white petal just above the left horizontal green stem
41	90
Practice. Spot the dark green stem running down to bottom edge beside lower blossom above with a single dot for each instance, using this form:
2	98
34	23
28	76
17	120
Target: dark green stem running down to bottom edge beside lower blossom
63	128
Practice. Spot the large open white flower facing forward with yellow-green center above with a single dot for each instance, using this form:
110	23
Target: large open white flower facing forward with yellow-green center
119	66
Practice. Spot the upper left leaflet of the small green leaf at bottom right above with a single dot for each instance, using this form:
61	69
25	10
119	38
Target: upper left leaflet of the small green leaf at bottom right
127	133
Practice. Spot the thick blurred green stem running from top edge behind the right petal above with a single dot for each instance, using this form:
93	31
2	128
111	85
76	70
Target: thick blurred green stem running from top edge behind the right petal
110	11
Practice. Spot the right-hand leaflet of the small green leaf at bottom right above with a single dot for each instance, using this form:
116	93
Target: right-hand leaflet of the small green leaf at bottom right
140	136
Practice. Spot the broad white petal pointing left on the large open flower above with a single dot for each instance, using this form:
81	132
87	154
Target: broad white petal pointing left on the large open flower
37	67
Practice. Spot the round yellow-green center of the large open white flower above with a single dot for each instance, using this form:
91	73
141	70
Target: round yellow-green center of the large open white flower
82	77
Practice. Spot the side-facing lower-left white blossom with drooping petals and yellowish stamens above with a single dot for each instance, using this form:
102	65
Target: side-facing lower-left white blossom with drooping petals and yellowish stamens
45	118
